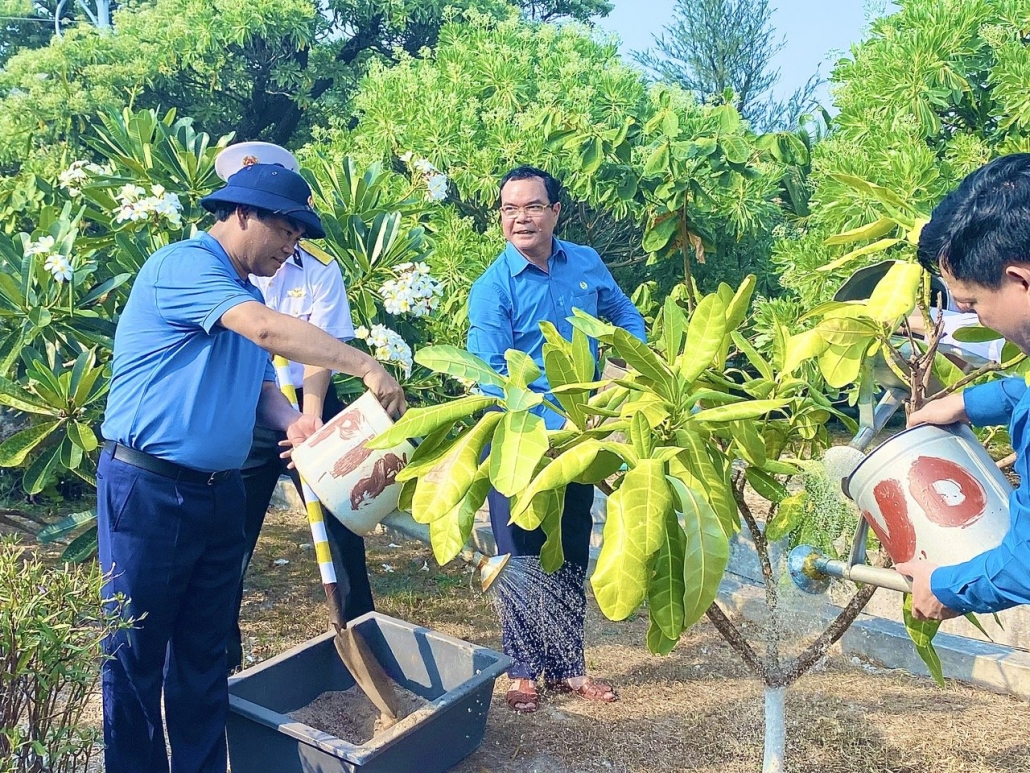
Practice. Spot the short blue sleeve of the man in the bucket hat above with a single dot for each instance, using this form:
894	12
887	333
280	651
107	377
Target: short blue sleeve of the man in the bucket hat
193	289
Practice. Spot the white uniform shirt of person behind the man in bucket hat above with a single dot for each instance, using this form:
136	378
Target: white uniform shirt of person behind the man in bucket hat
310	290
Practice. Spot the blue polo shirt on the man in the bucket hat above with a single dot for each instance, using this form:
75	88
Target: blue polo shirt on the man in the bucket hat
184	388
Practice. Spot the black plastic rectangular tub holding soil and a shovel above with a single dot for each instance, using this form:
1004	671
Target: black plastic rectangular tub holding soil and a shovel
457	677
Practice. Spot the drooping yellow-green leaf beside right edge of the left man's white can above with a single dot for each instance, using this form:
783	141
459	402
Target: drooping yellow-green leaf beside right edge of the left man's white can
444	486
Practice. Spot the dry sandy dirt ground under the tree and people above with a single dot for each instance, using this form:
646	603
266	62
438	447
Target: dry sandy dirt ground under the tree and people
698	710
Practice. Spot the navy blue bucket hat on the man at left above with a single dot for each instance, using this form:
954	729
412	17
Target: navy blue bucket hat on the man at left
273	188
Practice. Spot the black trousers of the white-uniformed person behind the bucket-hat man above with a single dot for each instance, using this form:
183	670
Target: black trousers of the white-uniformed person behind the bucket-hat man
261	474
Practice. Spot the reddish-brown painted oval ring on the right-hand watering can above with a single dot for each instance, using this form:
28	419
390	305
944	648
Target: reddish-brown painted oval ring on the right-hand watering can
955	512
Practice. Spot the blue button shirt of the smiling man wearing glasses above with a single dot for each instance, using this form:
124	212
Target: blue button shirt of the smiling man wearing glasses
513	296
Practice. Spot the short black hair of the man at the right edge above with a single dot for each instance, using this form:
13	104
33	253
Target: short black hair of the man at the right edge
983	225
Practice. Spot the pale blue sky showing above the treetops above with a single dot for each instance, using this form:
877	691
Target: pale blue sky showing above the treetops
817	32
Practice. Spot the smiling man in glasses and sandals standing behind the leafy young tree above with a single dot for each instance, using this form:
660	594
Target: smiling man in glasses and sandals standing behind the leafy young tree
538	279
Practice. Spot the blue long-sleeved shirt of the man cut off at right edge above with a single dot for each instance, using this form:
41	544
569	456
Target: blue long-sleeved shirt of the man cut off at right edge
1001	578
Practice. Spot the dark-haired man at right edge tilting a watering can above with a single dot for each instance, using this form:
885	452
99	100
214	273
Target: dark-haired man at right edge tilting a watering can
980	236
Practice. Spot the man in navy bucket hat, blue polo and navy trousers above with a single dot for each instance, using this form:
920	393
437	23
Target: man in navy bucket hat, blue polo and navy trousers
191	378
